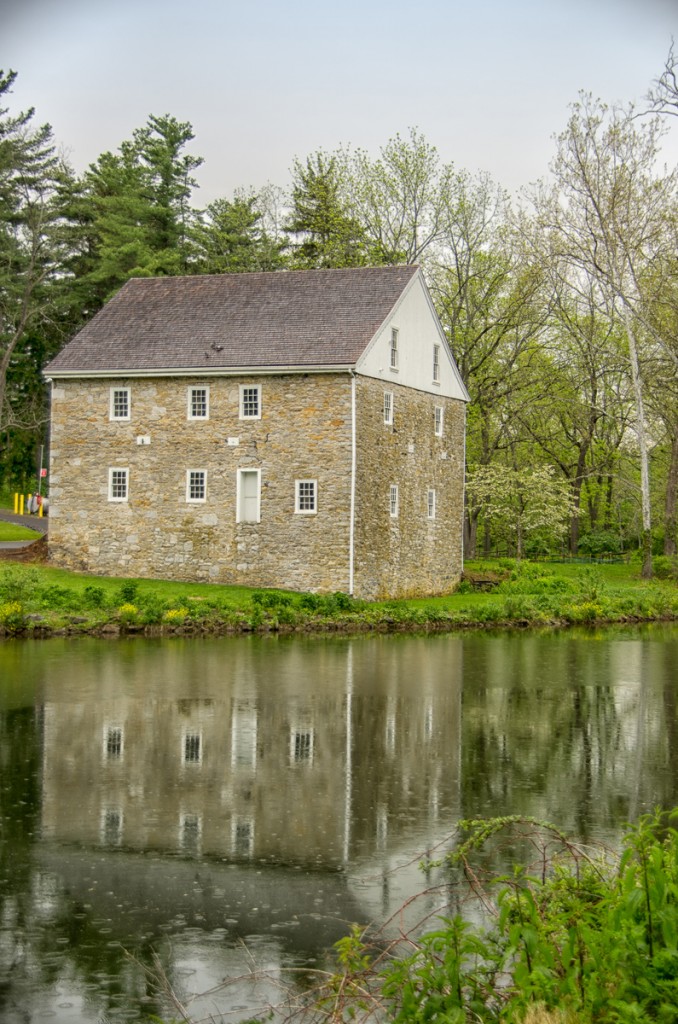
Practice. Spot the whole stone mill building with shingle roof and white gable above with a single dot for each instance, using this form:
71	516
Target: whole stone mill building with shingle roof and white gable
299	430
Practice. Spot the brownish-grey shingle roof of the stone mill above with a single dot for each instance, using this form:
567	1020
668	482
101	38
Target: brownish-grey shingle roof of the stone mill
286	319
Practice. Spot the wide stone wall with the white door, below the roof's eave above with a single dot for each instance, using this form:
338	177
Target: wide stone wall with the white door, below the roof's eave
157	533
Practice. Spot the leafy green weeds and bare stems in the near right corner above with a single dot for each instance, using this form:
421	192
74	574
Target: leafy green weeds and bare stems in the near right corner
567	936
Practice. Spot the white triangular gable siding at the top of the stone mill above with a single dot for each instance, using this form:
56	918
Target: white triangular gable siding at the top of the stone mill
419	331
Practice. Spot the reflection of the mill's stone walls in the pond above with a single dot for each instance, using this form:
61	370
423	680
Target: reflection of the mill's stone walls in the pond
267	754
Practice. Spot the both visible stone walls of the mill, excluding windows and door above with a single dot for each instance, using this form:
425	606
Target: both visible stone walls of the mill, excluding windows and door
305	433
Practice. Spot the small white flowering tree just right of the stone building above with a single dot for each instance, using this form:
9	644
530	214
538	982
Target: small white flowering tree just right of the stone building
520	503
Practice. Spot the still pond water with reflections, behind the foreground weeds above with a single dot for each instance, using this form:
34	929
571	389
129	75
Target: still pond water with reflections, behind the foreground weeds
228	807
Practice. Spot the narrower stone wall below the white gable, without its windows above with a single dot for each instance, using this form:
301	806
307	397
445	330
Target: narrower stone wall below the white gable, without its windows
409	554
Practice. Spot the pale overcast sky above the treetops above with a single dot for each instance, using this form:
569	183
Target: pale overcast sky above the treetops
489	82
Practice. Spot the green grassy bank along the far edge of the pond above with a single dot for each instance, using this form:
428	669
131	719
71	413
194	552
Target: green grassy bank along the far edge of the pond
41	601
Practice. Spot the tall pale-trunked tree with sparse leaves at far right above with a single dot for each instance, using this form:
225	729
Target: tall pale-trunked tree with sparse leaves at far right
607	221
